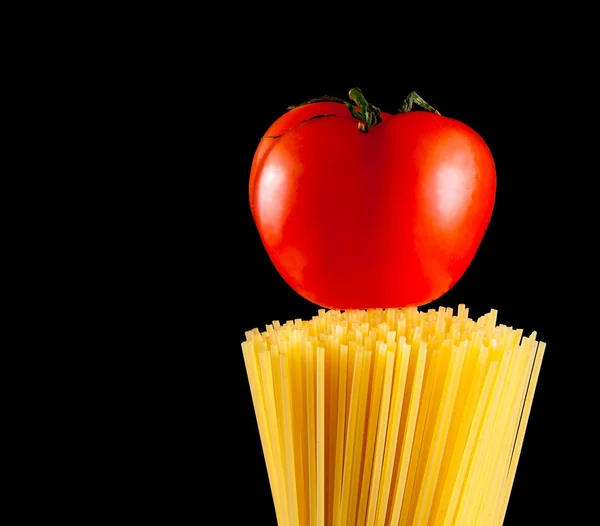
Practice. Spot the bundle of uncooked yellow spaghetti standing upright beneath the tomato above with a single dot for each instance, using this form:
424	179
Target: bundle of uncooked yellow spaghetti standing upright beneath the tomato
386	417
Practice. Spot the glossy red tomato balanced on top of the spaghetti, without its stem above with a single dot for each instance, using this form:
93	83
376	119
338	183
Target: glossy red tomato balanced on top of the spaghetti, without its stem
388	218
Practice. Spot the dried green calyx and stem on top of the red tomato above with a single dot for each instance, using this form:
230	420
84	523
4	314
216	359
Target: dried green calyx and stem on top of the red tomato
366	113
